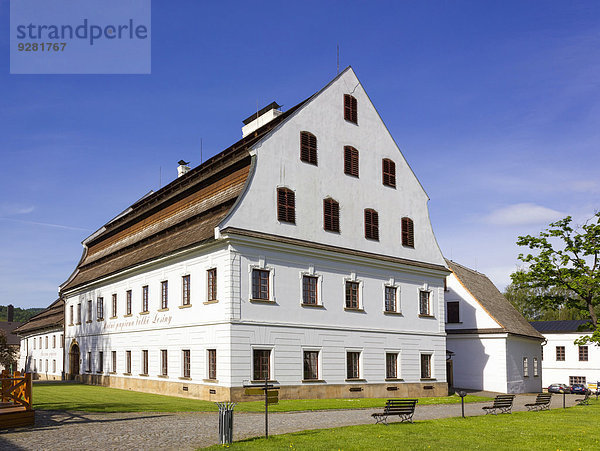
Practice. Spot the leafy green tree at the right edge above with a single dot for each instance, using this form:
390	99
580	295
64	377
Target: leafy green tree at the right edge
564	271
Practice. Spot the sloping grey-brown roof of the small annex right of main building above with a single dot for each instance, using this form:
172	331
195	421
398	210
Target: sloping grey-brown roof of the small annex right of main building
490	298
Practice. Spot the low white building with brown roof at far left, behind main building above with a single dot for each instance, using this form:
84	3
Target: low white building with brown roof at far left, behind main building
42	343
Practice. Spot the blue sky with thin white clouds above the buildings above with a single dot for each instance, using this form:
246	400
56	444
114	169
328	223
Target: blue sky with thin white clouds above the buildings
495	105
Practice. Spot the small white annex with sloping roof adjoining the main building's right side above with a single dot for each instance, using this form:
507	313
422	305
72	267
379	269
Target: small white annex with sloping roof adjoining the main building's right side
494	347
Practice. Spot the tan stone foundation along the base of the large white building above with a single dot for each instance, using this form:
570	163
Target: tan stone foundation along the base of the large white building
215	393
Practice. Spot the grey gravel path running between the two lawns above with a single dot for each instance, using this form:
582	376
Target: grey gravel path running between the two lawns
149	431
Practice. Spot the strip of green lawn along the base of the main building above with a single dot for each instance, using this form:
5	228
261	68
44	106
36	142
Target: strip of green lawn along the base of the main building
90	398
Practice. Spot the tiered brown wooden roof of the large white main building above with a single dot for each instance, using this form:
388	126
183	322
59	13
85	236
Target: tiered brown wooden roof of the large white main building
181	215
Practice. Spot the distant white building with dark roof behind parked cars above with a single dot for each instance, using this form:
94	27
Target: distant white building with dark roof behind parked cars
565	362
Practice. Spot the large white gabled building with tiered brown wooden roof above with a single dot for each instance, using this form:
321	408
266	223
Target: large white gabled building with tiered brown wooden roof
303	254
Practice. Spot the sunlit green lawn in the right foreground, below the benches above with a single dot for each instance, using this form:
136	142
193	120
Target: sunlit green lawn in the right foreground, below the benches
570	429
